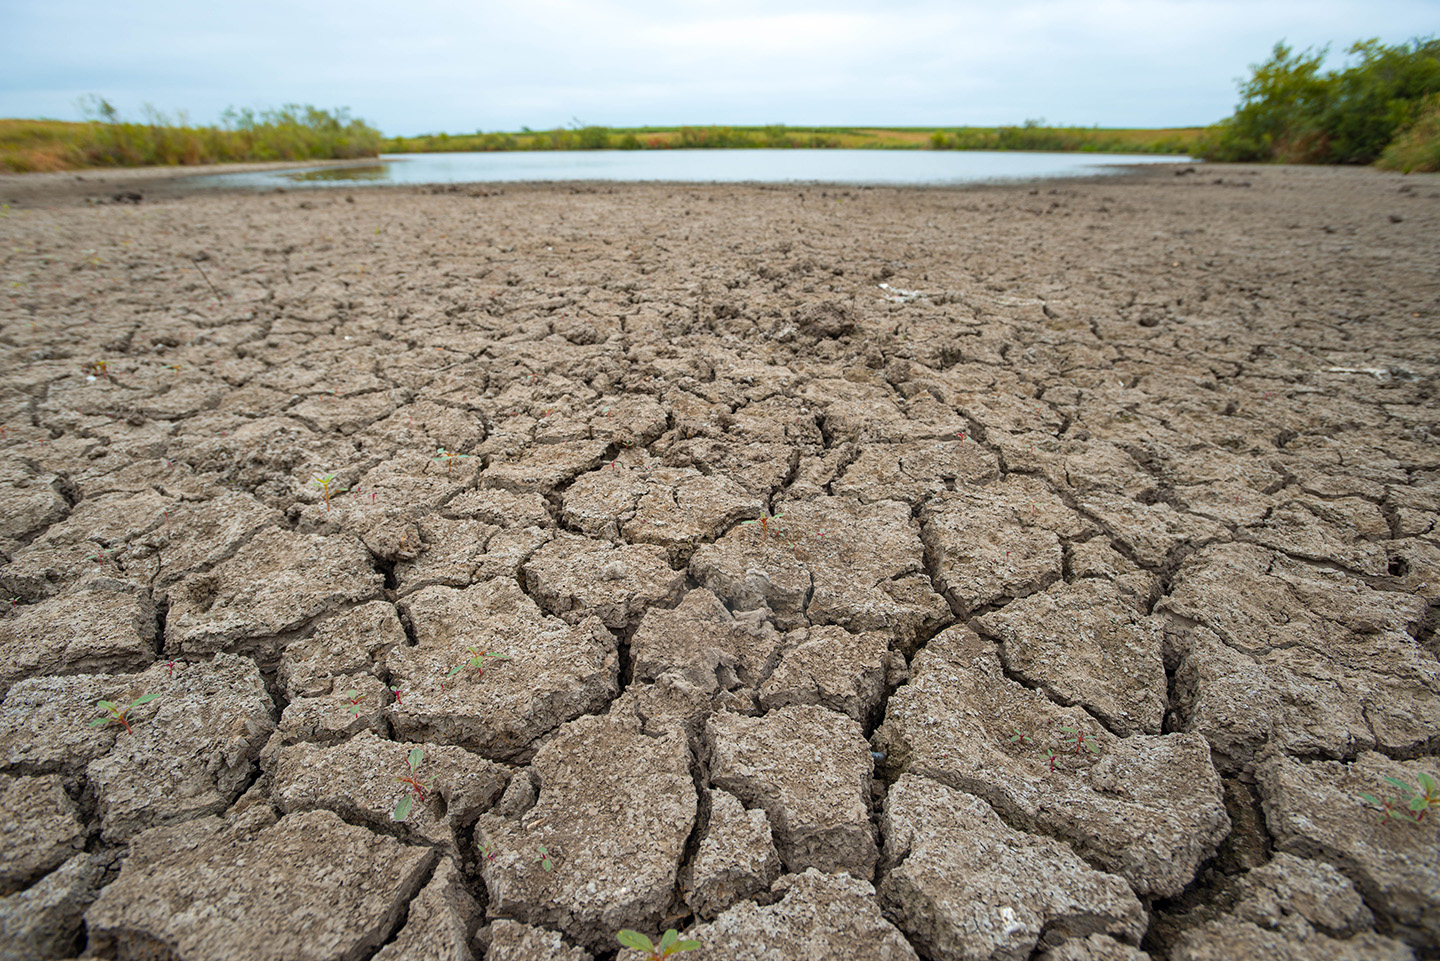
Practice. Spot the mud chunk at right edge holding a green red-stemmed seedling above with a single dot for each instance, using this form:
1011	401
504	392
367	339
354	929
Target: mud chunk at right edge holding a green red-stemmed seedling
1314	810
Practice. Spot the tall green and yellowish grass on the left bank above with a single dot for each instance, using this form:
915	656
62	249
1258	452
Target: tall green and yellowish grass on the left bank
290	133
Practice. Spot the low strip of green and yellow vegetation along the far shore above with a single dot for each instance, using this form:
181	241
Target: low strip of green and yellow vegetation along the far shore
777	136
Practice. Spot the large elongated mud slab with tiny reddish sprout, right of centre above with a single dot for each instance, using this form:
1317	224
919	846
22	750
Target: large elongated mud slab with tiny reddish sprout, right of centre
1148	809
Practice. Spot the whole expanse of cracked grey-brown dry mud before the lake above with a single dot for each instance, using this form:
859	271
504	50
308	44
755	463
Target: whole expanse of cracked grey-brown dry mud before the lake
1006	573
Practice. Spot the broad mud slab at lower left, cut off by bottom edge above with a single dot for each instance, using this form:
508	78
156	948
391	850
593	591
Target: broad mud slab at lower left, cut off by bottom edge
312	882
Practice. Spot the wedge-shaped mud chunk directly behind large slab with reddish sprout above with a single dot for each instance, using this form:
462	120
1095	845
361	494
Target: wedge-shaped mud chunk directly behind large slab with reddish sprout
1086	645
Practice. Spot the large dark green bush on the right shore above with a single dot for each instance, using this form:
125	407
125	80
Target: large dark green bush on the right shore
1291	112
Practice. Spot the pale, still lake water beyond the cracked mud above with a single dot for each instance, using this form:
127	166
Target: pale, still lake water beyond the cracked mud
699	166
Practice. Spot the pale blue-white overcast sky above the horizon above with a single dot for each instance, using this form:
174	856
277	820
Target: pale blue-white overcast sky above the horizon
430	66
